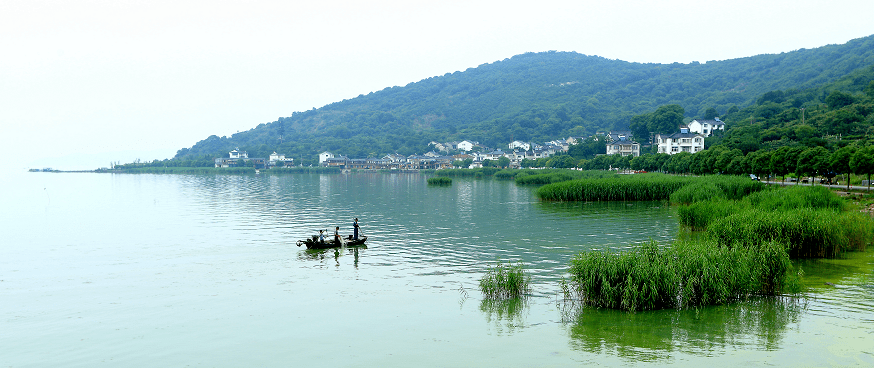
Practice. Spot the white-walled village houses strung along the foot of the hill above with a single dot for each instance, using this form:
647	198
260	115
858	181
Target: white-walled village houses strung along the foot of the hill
690	139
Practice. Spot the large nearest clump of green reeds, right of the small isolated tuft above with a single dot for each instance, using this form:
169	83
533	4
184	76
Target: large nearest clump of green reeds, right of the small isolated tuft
684	275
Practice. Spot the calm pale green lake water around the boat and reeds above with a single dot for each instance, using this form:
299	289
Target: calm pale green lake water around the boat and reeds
191	270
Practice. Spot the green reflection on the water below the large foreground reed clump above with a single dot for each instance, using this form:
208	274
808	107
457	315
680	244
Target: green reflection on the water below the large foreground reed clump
661	335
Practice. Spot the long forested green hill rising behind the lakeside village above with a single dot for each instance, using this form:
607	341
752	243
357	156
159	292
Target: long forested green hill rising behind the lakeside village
534	97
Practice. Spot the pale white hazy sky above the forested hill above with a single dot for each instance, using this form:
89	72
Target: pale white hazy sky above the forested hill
83	83
